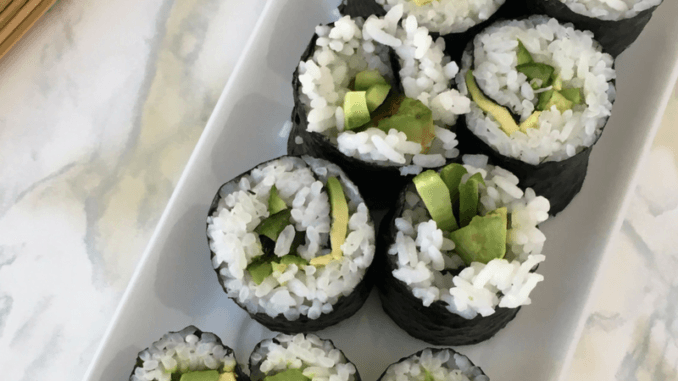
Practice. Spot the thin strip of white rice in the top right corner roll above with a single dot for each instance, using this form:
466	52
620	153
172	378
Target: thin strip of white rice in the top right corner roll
610	9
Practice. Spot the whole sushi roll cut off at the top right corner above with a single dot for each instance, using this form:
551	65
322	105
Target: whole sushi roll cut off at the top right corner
616	24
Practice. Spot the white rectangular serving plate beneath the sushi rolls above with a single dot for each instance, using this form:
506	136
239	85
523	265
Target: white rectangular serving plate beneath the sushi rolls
175	285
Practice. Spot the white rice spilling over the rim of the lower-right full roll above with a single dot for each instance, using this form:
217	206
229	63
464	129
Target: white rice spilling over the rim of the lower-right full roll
423	251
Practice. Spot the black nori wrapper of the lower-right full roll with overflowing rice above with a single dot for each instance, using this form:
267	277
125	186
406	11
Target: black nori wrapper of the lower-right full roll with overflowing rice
434	324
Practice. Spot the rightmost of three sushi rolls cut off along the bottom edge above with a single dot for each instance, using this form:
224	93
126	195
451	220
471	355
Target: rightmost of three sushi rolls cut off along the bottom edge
434	364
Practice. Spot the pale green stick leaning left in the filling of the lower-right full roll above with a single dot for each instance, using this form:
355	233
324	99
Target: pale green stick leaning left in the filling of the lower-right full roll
436	197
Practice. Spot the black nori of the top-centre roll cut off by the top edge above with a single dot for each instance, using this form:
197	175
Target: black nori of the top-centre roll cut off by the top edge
454	42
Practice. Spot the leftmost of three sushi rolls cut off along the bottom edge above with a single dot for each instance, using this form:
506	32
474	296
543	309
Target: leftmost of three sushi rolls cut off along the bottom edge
187	355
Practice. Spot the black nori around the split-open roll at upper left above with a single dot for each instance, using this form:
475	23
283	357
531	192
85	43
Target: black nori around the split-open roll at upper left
364	174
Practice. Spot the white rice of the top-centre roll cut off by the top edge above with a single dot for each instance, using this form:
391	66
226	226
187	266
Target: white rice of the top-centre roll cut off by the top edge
447	16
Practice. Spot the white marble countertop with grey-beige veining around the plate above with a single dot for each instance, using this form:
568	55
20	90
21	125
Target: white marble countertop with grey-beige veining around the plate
101	105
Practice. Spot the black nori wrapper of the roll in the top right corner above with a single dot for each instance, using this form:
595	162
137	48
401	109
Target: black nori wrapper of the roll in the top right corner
614	35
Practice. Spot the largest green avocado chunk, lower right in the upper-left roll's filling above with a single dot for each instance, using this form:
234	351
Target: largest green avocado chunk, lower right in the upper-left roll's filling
415	120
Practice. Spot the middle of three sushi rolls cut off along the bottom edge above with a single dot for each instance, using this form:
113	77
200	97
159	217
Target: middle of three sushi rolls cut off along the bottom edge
301	357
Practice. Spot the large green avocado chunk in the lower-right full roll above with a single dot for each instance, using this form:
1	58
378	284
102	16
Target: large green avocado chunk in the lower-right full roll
482	240
